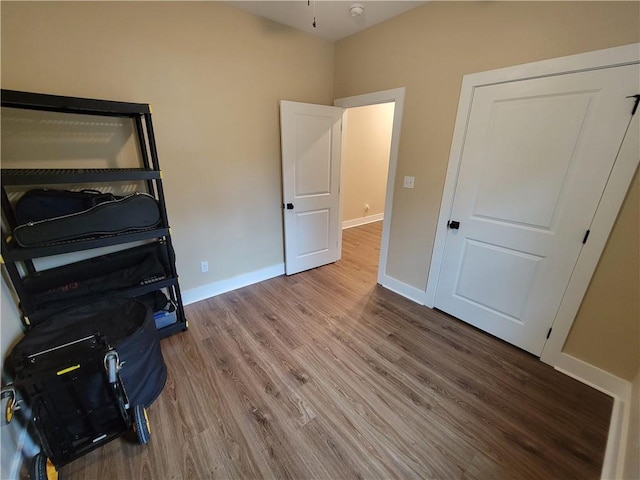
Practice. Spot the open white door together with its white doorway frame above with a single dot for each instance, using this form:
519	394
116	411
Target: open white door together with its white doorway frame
311	138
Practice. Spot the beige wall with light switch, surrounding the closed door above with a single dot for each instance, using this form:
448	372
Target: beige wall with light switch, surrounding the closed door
428	50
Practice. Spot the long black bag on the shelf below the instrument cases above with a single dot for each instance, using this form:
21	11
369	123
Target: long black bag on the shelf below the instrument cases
87	280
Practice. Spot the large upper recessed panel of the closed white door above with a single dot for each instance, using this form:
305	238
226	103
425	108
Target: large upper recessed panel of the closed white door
529	147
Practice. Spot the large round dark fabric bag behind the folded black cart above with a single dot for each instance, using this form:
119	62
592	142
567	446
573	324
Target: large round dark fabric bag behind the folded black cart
128	327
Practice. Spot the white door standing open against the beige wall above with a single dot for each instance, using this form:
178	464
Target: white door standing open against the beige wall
311	145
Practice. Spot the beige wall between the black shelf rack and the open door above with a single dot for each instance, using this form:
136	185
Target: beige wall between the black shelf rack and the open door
214	76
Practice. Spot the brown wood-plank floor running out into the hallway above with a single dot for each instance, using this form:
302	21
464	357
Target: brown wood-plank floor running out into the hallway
326	375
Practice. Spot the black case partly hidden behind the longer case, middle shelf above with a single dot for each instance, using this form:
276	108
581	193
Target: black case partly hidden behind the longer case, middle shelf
44	203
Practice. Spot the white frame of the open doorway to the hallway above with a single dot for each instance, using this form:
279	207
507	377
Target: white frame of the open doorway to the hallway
395	95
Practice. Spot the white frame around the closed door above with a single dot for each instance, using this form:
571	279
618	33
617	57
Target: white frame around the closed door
606	213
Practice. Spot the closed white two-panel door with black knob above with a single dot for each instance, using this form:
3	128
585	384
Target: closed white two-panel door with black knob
535	161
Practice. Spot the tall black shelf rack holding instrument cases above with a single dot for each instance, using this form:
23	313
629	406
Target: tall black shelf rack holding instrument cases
17	258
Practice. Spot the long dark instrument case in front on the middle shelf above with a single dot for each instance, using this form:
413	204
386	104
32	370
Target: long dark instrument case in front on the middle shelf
138	211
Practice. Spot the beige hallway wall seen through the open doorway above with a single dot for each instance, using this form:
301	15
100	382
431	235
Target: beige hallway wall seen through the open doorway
365	160
